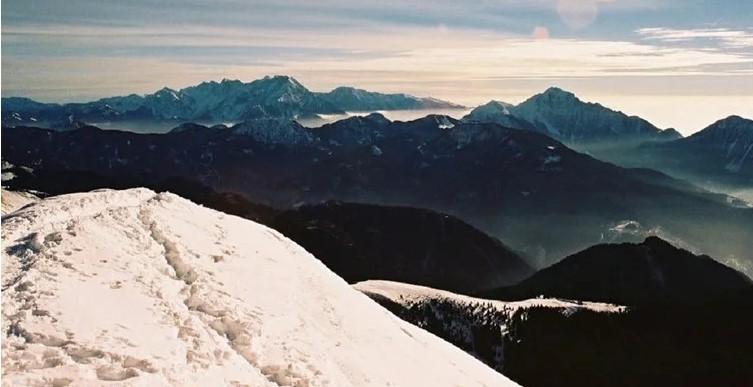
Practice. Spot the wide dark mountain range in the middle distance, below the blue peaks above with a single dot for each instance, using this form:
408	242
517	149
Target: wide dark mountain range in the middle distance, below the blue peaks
512	184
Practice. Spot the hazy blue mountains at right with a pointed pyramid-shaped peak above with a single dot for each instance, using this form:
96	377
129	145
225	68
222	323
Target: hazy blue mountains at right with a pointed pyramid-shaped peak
719	156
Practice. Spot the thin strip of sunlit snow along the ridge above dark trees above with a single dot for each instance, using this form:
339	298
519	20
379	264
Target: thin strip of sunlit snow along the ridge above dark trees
403	293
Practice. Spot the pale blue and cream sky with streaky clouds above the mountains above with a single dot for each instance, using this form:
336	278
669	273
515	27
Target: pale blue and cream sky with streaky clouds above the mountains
677	63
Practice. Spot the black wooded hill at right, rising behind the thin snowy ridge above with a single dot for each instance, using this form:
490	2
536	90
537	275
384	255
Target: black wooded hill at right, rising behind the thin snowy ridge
650	272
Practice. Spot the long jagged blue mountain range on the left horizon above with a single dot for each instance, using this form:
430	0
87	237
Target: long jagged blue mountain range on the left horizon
213	102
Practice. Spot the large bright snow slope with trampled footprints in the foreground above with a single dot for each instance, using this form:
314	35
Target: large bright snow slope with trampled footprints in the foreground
151	289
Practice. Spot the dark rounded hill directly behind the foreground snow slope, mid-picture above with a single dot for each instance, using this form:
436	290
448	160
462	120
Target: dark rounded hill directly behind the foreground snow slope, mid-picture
361	242
